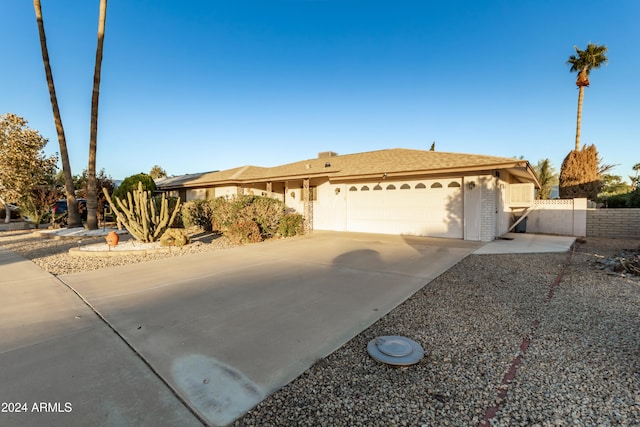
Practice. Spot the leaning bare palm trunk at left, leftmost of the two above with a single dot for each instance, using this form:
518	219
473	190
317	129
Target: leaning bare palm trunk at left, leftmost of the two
73	218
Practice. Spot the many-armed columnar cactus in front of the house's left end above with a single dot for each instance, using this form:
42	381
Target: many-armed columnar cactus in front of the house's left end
138	214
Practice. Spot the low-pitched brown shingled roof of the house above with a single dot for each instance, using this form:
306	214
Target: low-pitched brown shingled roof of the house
396	161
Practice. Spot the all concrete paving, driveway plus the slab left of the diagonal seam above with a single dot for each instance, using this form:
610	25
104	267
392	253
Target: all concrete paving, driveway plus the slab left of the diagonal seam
201	338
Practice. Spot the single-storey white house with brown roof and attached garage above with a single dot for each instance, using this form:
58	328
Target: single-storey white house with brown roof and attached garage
395	191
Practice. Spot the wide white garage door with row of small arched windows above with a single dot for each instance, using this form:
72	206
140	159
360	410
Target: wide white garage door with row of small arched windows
422	208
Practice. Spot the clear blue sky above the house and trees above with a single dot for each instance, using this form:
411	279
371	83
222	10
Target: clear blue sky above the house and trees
203	85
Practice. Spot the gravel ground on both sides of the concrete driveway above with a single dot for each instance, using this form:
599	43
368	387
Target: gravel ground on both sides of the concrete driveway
510	340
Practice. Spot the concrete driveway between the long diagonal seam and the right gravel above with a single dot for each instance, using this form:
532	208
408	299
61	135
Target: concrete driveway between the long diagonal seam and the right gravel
222	330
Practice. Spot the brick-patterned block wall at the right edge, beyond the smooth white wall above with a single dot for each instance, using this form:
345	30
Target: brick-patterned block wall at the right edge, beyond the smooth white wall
613	223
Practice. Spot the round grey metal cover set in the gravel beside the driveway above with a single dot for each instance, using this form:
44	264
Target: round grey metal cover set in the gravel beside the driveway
395	350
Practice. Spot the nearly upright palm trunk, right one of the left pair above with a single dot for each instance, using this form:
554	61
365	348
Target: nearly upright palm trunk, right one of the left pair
92	191
